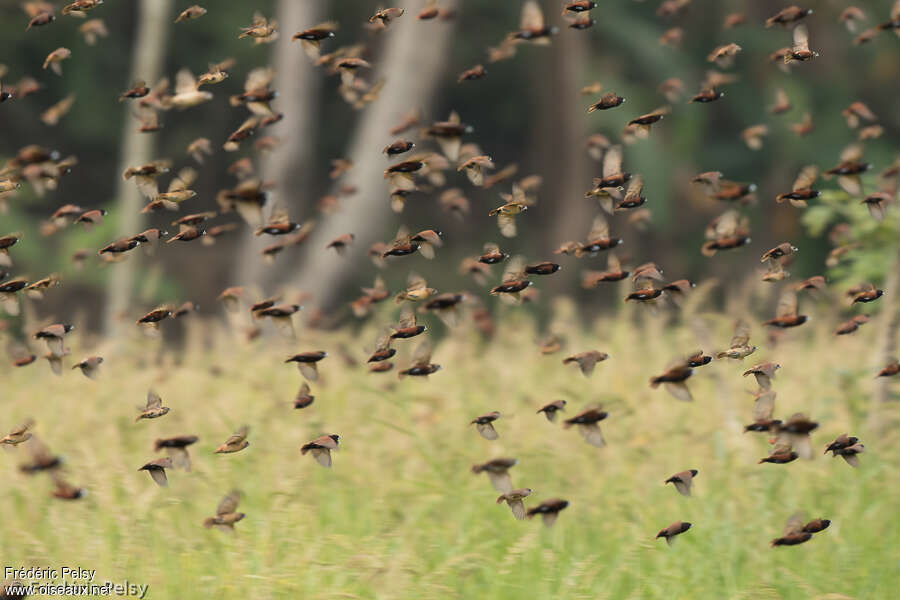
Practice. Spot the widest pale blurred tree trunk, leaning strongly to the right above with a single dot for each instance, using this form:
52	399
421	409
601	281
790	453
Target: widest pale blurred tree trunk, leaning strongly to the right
411	66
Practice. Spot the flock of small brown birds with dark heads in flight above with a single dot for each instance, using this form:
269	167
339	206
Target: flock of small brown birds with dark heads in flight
617	192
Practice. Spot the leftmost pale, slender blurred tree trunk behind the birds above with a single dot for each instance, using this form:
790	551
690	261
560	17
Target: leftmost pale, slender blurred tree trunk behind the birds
148	55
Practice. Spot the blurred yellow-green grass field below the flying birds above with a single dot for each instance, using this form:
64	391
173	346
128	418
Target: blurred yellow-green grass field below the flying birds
400	515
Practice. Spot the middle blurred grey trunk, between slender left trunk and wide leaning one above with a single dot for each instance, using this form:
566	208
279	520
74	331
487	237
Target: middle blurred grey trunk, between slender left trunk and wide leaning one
297	81
